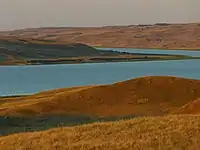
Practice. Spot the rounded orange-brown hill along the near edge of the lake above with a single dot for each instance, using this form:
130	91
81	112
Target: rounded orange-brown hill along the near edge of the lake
140	96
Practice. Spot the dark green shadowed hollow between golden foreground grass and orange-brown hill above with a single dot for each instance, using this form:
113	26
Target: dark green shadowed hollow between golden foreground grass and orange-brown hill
11	125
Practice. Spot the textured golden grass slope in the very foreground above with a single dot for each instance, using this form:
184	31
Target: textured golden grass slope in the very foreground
169	132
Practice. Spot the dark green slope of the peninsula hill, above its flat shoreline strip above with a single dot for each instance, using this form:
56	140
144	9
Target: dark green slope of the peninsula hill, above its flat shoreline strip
31	49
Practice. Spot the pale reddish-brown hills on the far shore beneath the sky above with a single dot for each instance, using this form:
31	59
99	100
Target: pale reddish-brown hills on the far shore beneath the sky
166	36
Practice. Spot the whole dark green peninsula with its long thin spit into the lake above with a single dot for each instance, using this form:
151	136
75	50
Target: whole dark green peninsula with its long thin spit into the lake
30	51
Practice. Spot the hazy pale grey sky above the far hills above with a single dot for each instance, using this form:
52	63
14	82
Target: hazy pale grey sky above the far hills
18	14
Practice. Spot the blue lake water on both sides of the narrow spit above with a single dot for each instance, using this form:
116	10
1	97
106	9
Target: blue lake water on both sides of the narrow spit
16	80
